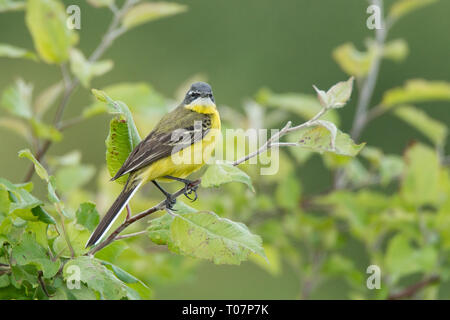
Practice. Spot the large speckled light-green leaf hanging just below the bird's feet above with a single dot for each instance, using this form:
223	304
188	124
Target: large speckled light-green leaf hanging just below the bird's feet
205	235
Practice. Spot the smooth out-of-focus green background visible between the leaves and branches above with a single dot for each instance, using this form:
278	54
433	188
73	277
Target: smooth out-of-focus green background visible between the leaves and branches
241	46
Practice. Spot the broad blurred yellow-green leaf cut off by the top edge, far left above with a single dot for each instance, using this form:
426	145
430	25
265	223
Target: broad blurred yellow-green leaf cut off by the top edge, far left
46	20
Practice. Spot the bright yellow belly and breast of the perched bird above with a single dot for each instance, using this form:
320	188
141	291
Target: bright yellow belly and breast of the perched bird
186	161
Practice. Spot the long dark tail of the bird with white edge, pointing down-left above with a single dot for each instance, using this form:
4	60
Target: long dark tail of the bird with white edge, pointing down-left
122	200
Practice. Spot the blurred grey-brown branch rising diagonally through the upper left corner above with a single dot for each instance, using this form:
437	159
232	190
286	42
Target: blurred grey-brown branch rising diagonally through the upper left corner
113	32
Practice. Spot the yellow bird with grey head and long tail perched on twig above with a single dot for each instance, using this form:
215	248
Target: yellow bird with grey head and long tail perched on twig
180	144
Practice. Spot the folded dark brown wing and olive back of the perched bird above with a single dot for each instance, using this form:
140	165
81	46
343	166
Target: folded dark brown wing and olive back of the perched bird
176	130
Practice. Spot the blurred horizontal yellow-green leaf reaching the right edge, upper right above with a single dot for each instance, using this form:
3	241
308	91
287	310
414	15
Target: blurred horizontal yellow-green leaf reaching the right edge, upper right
417	90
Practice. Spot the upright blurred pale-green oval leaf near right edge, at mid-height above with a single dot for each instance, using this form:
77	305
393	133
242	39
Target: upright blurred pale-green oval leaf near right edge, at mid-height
419	186
